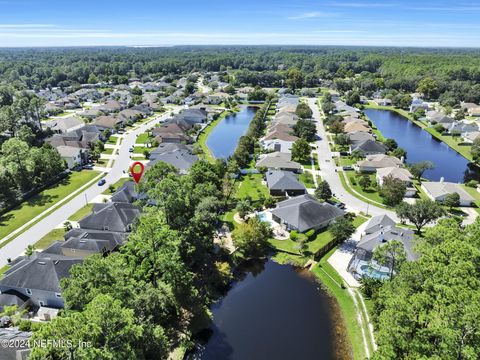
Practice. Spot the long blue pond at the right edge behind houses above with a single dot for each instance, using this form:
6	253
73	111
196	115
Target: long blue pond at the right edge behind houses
420	146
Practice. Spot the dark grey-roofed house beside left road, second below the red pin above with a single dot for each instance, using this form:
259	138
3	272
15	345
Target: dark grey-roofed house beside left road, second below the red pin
117	217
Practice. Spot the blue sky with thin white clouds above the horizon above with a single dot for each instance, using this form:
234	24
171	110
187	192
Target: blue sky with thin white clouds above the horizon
148	22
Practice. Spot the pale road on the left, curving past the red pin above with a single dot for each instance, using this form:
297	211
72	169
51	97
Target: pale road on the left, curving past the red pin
122	161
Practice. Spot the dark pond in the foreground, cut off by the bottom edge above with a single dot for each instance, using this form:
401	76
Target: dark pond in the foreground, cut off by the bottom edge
273	312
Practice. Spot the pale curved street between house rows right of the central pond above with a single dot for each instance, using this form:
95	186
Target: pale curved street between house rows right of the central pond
328	167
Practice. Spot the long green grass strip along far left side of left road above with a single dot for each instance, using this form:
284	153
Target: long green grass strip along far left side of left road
41	202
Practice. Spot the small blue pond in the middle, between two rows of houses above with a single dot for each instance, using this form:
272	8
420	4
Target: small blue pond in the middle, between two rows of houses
223	139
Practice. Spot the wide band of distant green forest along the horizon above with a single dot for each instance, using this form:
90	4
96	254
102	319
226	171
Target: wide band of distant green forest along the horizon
456	72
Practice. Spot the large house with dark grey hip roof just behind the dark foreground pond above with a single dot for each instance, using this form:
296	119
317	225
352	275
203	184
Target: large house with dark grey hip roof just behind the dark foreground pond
304	212
